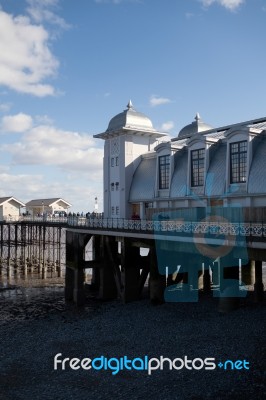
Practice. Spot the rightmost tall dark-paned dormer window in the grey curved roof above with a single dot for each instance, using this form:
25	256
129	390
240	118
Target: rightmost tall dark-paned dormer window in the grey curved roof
238	162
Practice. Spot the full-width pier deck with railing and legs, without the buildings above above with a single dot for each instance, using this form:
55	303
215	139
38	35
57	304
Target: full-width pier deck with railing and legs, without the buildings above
175	257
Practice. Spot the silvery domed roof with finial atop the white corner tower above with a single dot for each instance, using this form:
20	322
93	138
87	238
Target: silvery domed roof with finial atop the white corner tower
130	118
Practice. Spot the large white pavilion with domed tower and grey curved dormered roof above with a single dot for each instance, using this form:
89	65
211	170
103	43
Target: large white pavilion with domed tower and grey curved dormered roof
203	166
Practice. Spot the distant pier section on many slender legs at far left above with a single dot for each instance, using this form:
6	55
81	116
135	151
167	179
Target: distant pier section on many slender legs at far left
35	246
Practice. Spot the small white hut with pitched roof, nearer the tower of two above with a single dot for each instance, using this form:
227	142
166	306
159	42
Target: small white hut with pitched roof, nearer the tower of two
53	206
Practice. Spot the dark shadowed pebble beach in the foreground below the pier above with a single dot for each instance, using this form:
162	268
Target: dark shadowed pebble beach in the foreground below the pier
36	324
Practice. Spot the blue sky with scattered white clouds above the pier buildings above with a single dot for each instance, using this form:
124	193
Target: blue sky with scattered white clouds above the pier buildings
68	66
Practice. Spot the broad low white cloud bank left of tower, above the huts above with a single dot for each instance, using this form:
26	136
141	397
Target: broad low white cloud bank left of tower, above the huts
49	162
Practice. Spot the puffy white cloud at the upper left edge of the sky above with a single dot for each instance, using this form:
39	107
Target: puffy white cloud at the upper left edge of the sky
25	58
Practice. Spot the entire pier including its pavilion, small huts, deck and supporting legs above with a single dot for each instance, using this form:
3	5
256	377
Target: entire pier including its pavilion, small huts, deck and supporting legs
181	216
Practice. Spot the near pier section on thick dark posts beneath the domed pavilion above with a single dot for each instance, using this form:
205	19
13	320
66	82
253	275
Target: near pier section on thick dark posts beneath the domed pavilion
183	256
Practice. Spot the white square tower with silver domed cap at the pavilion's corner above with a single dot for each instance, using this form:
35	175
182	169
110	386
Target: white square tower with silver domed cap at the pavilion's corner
129	134
